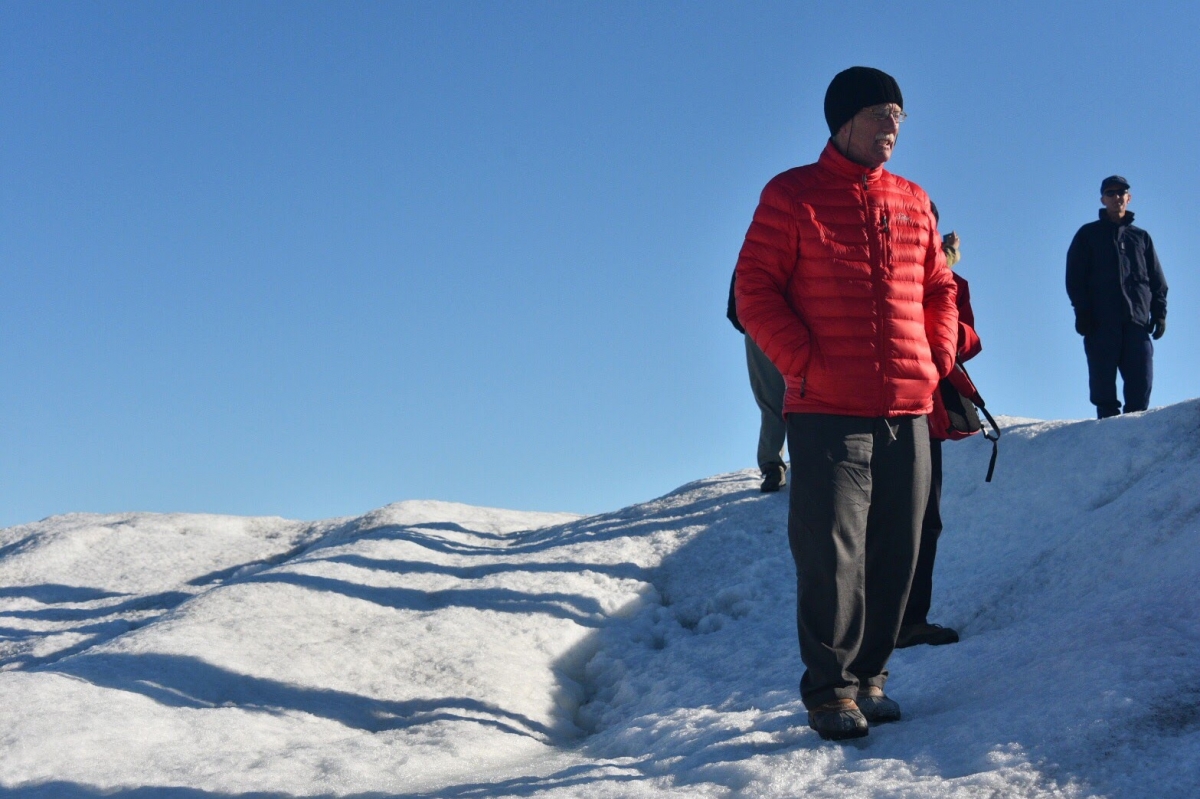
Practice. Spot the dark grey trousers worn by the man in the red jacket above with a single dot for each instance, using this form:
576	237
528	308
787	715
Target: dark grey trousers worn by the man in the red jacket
859	498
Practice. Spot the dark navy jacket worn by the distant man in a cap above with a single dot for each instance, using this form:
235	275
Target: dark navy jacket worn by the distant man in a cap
1114	275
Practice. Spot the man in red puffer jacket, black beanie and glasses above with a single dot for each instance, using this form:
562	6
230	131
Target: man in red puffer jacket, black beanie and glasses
843	284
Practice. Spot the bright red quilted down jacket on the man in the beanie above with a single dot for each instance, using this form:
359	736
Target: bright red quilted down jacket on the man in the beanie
843	284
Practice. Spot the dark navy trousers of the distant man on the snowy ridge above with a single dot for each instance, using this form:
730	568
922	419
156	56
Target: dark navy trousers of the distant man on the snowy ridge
1125	349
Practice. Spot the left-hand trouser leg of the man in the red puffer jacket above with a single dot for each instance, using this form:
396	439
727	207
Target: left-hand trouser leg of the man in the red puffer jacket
831	497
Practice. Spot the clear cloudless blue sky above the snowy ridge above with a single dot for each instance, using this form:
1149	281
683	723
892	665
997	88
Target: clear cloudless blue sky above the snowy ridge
308	260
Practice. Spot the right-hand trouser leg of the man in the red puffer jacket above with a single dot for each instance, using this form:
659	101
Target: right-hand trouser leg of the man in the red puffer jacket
901	489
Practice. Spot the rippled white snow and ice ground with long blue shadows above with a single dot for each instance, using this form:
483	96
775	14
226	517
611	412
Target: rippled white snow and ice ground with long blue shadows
430	650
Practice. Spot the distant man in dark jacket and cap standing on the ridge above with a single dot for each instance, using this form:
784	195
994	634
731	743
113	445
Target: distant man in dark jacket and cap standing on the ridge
1117	286
